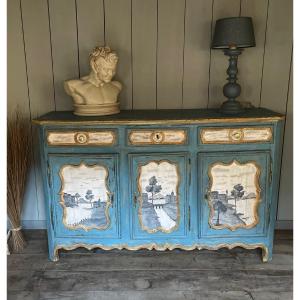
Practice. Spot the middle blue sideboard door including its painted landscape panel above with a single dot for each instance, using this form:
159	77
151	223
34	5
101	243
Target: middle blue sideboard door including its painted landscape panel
158	196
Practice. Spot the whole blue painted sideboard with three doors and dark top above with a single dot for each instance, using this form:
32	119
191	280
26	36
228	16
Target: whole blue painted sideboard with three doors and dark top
161	179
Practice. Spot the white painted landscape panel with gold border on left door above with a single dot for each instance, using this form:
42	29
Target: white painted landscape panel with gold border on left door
84	196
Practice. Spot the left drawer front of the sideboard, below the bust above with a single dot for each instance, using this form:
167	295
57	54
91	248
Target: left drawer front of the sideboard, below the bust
82	138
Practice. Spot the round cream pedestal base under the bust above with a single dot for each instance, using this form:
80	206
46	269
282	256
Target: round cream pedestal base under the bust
96	109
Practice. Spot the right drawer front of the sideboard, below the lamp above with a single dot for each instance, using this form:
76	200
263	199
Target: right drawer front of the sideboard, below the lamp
236	135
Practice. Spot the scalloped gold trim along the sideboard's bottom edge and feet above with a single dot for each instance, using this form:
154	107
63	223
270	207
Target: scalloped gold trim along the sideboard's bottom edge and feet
163	247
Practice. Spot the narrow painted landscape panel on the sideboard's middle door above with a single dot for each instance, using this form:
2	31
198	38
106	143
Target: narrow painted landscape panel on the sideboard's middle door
158	185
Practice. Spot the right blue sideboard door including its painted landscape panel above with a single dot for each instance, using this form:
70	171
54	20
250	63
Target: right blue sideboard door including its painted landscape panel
233	192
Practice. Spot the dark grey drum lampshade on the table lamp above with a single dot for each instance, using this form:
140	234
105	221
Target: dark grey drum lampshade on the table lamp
237	32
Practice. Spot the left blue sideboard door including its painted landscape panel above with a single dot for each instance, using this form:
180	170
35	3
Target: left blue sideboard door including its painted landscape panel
84	199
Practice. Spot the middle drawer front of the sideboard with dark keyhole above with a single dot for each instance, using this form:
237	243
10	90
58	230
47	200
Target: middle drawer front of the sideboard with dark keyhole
159	136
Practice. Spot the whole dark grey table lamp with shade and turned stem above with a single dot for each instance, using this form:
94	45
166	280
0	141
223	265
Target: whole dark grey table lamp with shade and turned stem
232	35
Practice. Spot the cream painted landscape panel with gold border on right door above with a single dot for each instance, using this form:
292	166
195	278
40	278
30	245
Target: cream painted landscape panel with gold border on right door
234	195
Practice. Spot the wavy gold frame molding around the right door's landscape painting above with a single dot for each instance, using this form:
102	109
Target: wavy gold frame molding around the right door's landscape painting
257	199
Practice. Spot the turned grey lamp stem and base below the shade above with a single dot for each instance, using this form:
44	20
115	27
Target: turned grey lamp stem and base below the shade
232	89
